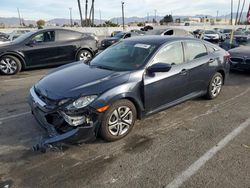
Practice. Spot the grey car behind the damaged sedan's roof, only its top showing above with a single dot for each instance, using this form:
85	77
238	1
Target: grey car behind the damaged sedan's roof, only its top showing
170	32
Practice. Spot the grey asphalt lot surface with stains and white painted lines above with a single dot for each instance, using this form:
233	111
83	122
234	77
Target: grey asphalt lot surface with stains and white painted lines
194	144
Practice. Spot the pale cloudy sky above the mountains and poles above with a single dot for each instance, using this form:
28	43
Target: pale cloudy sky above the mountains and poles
49	9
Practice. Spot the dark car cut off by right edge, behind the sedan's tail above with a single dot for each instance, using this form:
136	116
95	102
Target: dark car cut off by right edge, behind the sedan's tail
240	58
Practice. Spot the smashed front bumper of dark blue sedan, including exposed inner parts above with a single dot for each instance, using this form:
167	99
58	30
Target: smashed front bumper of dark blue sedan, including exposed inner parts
61	127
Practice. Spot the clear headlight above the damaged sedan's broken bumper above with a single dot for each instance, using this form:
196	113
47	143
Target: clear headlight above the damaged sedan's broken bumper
81	102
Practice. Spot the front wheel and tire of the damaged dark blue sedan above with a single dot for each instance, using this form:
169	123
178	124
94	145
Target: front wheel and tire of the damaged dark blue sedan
118	120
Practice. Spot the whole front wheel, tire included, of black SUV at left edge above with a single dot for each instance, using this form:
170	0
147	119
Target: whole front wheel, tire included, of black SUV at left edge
10	65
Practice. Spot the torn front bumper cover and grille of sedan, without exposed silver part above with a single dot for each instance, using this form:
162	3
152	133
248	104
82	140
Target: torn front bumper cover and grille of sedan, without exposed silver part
60	132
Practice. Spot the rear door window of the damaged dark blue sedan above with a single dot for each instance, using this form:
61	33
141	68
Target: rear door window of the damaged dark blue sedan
195	50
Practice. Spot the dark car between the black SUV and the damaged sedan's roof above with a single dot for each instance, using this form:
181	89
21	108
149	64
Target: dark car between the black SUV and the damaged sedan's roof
112	40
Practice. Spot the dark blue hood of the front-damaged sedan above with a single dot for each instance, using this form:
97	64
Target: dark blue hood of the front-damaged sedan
78	79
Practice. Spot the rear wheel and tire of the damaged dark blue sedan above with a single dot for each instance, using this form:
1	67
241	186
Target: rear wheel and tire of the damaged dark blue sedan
215	86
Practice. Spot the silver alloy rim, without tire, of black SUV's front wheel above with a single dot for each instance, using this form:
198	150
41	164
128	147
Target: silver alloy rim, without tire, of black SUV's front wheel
8	65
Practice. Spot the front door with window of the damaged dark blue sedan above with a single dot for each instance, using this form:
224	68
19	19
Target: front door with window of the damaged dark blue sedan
161	89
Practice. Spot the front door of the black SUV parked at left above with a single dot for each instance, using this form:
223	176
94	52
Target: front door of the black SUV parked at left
41	49
